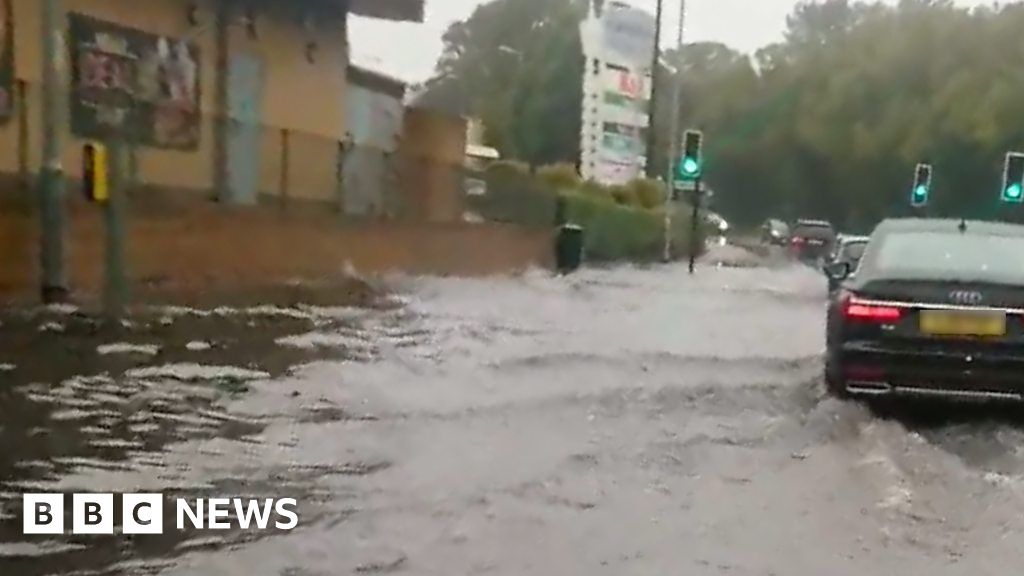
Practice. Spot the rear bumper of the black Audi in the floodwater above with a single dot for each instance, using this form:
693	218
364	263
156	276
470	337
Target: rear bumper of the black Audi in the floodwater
868	369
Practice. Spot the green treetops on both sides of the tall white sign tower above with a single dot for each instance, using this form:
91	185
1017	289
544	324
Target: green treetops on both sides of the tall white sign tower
828	124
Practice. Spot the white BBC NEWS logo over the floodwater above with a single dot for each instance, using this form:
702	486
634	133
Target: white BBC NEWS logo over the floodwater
144	514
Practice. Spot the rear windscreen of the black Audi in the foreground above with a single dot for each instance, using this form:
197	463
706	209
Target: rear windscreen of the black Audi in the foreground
941	256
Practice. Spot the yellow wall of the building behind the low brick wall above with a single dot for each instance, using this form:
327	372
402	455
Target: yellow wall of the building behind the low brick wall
307	99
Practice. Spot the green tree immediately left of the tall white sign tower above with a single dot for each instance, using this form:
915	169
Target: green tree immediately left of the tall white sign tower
518	65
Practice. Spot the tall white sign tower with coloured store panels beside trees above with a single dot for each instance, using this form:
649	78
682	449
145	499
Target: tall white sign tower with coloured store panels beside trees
618	44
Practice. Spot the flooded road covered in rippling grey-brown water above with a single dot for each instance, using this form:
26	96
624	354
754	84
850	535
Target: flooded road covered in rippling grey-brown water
618	422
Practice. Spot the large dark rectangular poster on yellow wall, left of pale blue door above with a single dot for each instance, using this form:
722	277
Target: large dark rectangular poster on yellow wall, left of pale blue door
138	86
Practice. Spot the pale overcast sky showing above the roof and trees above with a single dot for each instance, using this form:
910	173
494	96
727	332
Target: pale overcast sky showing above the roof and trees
410	51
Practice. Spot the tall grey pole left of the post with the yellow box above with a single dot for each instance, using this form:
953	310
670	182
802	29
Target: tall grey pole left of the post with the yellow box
52	178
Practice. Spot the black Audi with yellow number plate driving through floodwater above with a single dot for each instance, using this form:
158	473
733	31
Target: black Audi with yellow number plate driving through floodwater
936	309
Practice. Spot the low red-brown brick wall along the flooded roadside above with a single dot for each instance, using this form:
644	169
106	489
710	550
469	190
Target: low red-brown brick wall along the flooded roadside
201	245
